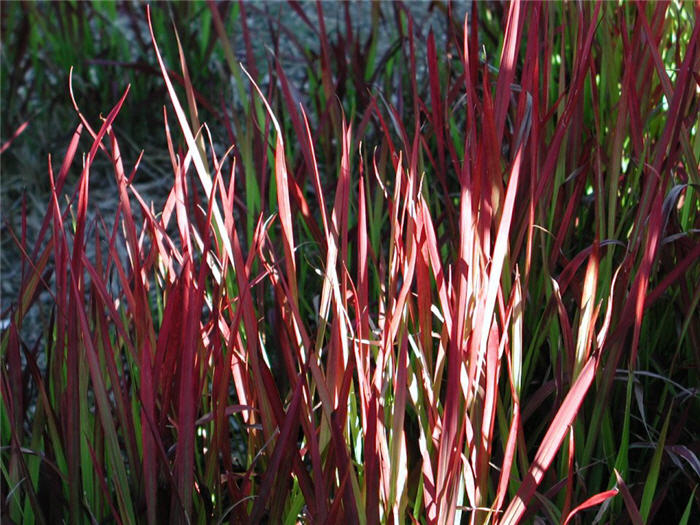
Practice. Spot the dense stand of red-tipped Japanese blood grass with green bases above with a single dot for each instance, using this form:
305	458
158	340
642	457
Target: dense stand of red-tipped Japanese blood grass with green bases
415	313
